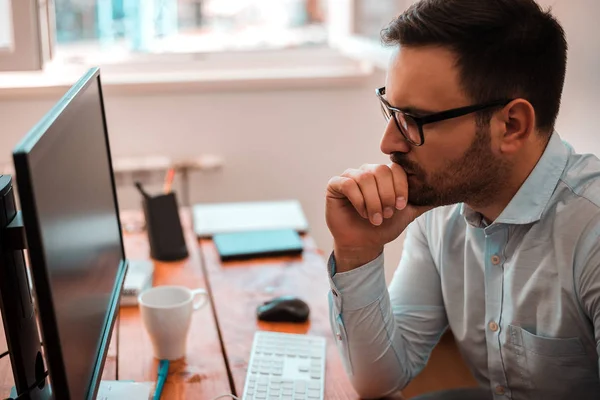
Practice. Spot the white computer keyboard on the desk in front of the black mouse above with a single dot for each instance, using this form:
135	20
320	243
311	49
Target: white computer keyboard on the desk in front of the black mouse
286	366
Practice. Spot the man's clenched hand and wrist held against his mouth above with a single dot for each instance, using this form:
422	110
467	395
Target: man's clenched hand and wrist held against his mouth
367	208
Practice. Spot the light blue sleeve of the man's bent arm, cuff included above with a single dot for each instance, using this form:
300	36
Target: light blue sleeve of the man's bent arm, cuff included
385	336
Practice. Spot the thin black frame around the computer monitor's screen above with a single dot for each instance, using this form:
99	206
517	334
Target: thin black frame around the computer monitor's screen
39	274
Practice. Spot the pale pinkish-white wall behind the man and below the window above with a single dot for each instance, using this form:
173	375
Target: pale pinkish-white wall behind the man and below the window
287	144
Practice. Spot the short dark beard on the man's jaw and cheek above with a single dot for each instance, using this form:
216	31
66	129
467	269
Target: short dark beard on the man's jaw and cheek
472	179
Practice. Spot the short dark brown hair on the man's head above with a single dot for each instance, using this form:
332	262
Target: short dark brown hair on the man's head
504	48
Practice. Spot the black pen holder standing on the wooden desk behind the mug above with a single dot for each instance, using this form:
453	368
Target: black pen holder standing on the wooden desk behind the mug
165	234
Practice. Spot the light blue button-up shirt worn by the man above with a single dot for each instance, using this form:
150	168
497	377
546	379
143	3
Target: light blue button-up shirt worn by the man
521	296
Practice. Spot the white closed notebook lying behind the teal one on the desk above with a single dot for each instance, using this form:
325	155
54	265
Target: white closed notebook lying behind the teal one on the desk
213	218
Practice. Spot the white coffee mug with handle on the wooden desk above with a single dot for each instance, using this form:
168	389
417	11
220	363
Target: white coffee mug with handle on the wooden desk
167	313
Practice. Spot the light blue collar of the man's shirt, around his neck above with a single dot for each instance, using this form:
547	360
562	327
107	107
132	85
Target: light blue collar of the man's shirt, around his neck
531	199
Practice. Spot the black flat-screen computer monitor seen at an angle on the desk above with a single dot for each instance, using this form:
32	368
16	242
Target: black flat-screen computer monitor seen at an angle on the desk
70	212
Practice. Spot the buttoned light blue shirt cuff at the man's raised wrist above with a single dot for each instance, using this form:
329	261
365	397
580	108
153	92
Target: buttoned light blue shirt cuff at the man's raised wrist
358	288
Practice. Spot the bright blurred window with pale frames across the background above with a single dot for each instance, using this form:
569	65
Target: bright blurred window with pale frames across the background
132	32
